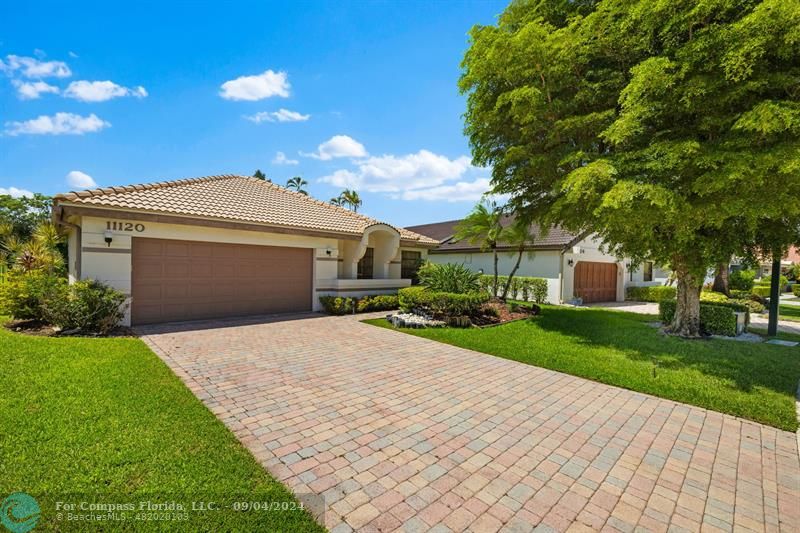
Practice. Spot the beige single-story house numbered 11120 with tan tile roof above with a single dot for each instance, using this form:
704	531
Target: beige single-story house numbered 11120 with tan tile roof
229	246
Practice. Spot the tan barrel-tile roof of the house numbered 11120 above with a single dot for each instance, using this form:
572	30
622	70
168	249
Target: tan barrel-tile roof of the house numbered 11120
233	198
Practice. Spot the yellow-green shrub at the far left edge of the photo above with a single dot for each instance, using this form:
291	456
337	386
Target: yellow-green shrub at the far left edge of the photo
23	293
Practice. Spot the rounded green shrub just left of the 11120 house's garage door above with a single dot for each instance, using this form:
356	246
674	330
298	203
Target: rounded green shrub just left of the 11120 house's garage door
88	305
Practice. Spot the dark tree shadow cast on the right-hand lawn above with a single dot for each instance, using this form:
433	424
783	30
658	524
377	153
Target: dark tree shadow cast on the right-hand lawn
745	364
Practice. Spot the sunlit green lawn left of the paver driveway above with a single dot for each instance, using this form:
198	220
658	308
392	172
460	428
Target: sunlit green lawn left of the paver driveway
104	420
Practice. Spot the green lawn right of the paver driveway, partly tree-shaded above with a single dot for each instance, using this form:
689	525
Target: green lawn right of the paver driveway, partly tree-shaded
754	381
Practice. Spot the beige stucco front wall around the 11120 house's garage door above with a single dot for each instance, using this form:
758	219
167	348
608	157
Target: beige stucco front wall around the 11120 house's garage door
112	264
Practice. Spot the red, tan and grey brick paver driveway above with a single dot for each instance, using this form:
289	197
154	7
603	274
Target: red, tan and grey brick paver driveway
399	432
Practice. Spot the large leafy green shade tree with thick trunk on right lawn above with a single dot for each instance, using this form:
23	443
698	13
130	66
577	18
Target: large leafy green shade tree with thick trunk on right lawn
670	128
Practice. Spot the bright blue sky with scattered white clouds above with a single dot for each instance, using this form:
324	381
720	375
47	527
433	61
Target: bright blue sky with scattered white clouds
358	94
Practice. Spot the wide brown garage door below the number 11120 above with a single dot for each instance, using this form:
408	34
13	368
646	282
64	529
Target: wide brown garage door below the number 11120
188	280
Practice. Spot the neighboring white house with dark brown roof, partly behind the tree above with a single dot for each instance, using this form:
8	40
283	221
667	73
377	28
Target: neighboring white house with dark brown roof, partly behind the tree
573	266
